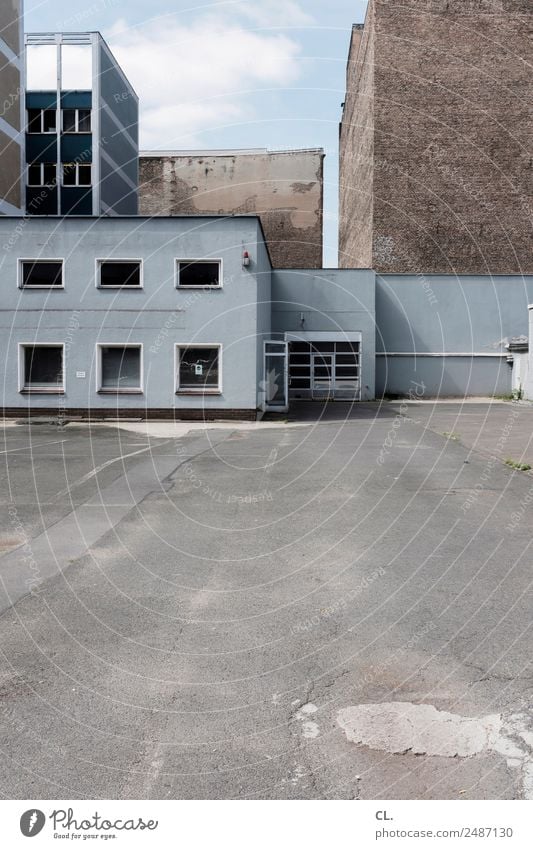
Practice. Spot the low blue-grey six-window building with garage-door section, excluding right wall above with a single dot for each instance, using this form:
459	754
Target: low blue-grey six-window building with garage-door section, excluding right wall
174	317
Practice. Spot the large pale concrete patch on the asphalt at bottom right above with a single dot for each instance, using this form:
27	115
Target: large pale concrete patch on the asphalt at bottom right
402	727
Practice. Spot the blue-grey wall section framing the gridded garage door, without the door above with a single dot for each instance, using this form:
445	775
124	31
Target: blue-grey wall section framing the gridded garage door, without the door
333	300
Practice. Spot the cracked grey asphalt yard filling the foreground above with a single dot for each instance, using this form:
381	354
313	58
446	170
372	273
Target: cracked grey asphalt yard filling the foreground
189	615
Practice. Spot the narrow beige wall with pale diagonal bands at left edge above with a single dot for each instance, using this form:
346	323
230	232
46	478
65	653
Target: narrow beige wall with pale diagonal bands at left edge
11	107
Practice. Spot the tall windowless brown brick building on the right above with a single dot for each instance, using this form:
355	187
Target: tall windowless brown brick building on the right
441	137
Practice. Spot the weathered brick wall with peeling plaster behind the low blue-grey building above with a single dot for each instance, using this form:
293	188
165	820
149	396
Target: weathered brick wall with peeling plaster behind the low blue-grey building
284	188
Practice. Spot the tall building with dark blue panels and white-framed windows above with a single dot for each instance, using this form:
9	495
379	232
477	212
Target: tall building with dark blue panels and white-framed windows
82	128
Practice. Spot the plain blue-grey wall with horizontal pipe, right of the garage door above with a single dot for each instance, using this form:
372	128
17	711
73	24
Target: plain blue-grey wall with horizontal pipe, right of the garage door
449	333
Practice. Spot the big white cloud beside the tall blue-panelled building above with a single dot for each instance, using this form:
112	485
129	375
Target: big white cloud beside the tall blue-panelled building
202	75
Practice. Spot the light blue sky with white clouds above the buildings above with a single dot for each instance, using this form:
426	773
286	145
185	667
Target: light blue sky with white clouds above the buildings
227	74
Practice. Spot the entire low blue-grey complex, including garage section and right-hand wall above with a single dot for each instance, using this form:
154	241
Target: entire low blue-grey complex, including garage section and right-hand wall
186	317
